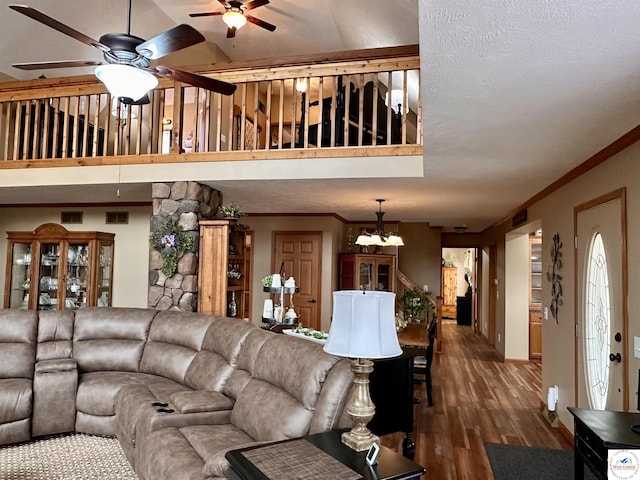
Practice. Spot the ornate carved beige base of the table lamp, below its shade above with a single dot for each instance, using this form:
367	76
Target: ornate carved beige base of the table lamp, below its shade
360	408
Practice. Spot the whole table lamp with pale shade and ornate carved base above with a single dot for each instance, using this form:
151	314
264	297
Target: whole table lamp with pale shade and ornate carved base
362	328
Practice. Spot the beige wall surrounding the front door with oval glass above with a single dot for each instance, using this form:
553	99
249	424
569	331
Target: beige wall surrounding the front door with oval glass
556	214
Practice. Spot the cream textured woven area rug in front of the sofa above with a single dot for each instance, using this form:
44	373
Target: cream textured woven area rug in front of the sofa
66	457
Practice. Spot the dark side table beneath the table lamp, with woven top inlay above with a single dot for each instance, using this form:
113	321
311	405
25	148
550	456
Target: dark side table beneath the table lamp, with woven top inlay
328	451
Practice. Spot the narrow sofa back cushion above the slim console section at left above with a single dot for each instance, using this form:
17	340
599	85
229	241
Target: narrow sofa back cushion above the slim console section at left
55	334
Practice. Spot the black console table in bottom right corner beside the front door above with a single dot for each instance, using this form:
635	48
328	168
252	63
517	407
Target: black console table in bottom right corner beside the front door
598	431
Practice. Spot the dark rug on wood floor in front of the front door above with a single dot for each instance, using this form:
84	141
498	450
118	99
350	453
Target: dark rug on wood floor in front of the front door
512	462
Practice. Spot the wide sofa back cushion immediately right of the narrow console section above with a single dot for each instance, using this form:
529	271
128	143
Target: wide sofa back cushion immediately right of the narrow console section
110	338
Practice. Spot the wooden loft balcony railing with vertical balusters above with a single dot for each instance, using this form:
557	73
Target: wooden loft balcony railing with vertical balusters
312	106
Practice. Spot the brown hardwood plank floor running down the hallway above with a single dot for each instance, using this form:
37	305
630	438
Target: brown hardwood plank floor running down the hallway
477	399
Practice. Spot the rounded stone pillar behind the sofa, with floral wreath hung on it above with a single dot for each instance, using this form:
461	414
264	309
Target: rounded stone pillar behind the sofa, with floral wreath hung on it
187	202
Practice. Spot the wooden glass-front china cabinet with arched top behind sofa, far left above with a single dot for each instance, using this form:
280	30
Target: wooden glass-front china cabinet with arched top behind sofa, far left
52	268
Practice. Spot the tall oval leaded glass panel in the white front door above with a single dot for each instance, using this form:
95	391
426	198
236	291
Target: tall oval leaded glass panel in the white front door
597	324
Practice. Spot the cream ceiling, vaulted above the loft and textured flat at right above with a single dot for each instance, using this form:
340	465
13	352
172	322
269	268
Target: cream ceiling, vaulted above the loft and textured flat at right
515	92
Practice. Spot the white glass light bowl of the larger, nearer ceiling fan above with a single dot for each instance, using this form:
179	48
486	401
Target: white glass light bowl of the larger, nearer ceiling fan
125	81
